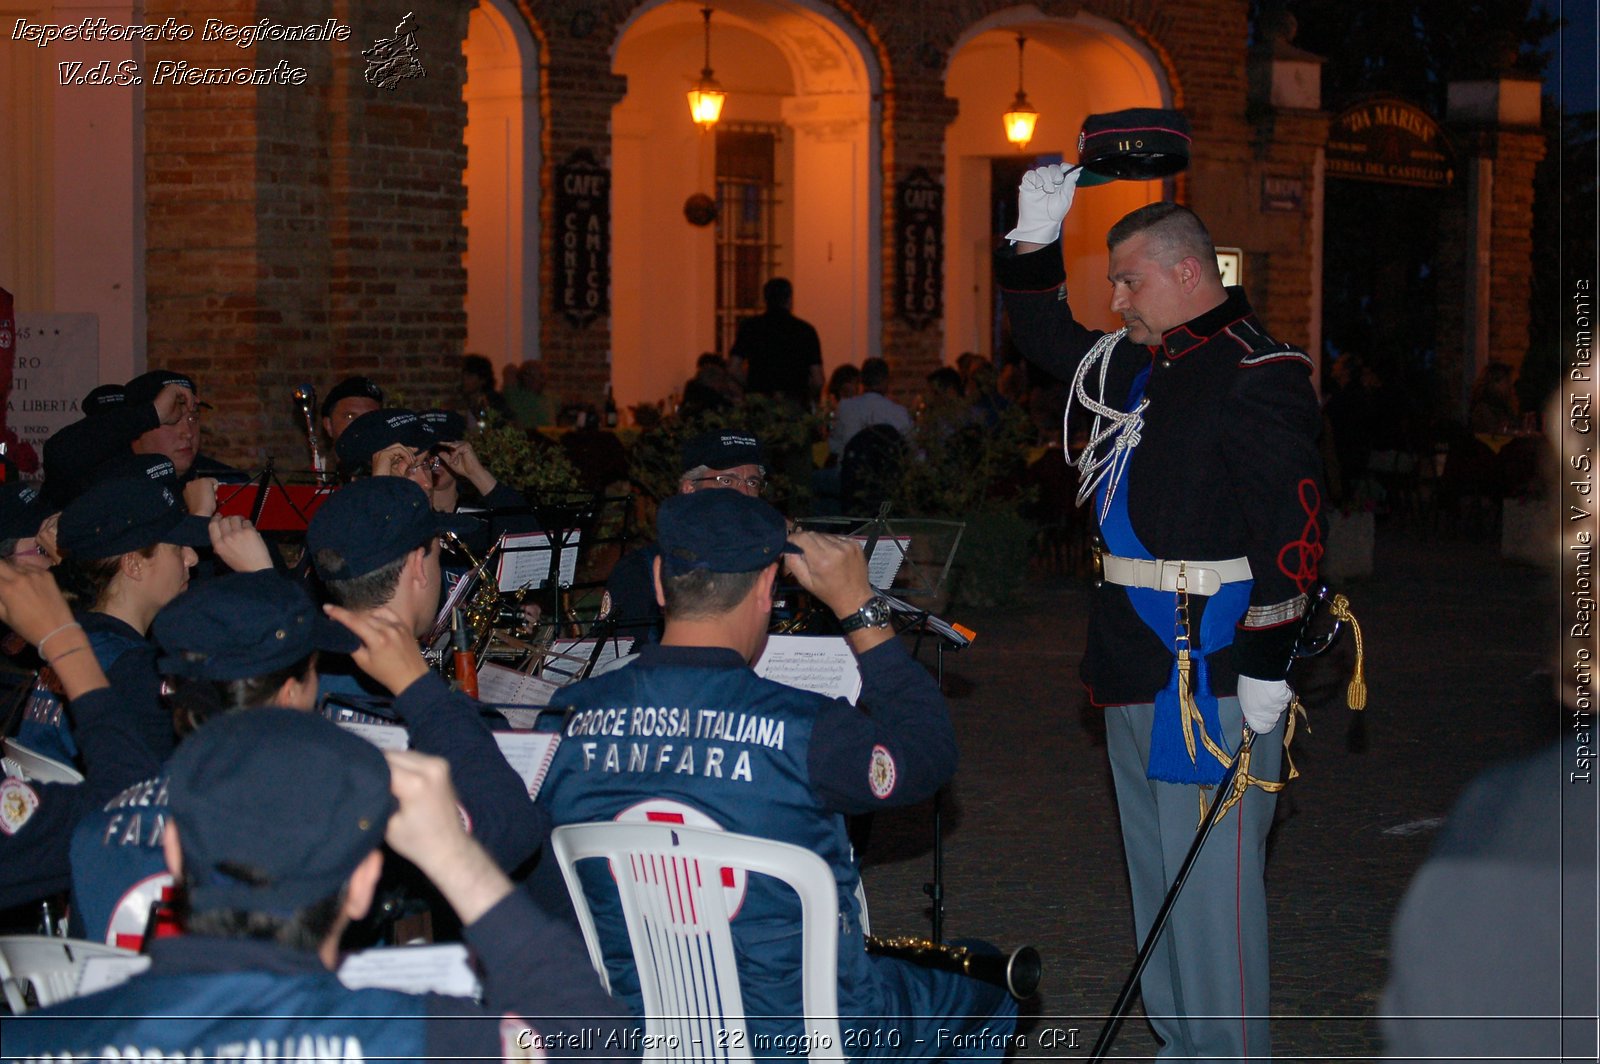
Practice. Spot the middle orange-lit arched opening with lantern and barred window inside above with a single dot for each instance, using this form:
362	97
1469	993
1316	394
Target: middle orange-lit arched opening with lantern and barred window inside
794	164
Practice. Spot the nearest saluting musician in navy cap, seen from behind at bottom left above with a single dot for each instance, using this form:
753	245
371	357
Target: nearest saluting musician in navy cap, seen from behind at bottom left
273	871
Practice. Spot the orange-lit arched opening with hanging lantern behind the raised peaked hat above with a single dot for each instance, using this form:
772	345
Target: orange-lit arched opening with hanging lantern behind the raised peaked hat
1074	68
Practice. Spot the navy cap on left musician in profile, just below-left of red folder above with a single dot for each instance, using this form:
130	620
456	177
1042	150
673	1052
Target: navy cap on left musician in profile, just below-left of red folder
127	514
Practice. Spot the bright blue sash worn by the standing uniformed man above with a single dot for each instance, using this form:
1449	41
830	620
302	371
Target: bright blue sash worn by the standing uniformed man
1170	759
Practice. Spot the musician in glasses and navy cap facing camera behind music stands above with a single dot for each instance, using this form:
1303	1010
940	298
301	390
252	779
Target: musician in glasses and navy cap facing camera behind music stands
714	460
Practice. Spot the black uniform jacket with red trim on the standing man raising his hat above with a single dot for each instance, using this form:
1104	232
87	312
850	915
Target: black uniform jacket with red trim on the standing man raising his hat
1228	466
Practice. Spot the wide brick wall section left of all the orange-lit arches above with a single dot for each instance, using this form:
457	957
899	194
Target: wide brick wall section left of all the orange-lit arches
303	233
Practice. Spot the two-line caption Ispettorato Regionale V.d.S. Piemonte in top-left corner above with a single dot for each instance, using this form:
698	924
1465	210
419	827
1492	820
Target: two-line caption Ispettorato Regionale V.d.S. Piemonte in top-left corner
242	36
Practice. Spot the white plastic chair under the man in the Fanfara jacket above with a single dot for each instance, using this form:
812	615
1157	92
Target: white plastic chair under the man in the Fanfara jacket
678	924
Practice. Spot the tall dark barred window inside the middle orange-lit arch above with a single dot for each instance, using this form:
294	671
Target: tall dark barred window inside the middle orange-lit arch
746	223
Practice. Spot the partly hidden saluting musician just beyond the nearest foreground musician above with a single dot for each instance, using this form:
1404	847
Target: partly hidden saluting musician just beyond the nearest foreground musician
254	639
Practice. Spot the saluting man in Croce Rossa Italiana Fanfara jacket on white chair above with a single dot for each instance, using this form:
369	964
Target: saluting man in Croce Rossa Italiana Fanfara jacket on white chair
815	762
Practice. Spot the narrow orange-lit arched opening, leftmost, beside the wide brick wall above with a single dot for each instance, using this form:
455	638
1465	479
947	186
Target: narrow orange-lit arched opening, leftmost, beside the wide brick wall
503	185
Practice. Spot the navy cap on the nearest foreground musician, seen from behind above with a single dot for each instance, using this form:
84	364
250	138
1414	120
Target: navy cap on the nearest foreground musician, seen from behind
276	809
